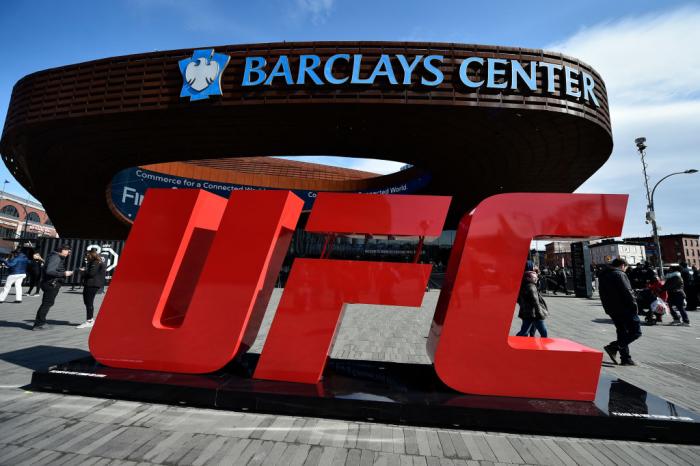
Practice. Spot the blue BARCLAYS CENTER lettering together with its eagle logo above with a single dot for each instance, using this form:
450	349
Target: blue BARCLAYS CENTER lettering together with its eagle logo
202	73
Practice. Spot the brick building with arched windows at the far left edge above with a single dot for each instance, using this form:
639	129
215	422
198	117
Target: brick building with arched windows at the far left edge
21	220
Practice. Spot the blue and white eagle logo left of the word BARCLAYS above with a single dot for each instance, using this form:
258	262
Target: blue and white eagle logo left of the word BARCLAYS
201	74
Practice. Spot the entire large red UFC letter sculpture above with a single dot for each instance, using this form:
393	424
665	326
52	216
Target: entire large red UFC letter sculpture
197	273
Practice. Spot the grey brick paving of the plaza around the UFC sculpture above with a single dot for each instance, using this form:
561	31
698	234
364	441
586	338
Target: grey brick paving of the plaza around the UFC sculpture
43	428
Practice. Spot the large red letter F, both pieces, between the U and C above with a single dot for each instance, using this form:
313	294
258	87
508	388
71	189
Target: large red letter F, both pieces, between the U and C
307	318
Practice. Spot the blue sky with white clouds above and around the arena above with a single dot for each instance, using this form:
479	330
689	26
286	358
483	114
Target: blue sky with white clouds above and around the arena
648	53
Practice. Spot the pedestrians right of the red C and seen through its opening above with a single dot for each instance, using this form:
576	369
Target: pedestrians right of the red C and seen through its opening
625	293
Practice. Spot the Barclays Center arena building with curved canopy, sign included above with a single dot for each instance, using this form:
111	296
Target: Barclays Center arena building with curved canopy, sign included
467	121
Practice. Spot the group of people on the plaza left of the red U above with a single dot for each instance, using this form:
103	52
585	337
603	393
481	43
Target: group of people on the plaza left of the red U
48	276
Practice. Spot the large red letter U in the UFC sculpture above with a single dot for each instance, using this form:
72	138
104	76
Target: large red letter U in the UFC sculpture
186	296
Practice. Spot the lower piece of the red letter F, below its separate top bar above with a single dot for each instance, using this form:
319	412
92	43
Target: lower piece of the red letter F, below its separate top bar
309	312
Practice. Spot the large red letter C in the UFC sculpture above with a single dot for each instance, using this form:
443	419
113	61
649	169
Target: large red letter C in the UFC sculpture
469	340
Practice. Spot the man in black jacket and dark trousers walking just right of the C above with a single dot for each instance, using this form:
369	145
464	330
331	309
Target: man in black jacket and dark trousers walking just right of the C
619	303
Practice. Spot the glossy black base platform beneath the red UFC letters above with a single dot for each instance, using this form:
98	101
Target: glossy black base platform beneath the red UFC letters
396	393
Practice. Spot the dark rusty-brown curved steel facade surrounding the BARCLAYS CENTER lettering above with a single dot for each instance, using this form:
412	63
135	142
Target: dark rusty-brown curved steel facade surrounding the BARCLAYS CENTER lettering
70	129
